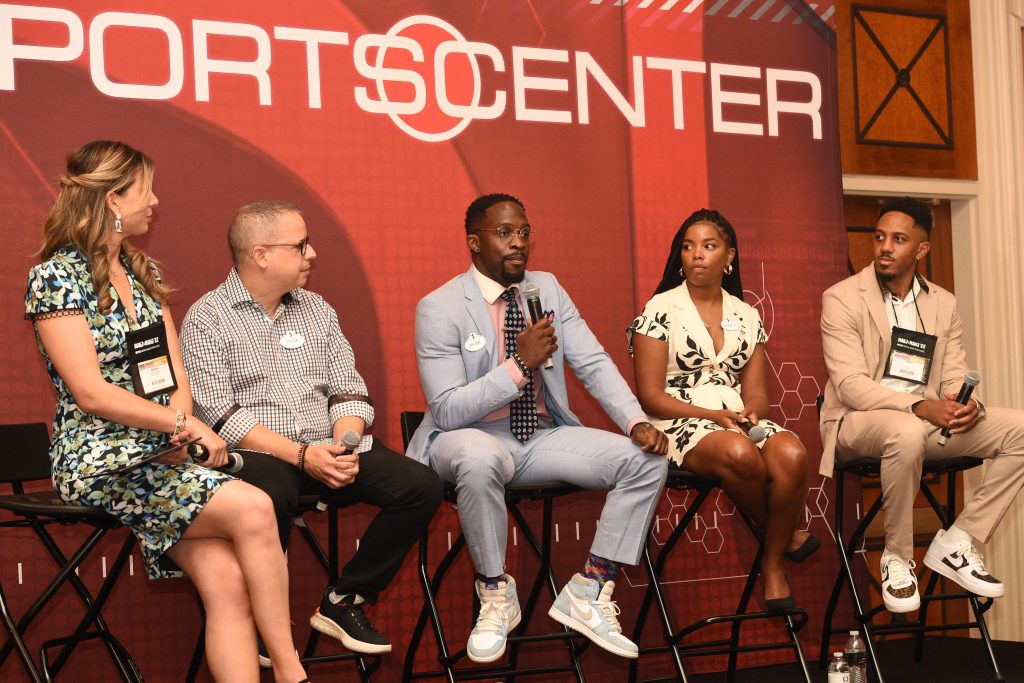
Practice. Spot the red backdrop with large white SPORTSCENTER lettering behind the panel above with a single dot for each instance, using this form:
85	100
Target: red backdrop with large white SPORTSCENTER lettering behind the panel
613	120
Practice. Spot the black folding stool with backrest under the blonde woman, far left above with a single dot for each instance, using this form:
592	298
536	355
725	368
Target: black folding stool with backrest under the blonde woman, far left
24	459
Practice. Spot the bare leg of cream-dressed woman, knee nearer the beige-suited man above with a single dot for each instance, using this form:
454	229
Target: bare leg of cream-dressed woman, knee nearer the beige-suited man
786	460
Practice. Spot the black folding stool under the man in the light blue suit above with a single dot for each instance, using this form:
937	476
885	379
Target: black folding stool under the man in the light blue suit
515	495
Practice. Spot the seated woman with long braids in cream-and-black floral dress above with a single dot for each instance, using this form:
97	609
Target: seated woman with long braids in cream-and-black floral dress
700	364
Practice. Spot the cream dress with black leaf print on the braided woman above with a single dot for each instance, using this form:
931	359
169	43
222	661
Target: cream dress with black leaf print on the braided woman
696	374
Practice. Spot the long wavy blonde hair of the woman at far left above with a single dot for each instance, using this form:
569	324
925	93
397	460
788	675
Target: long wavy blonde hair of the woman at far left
80	218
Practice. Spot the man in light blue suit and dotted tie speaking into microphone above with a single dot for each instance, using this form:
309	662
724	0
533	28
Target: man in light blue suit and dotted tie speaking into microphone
499	414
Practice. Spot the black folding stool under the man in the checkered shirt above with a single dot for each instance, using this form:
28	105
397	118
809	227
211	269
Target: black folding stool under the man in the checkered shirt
366	665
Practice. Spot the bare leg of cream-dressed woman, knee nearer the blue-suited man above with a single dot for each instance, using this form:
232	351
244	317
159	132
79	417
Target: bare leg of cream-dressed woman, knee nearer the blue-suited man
737	463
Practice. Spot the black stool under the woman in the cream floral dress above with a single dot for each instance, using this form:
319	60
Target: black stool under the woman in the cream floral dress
794	620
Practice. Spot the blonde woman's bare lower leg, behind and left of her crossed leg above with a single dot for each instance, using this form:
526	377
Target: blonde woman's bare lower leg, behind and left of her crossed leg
231	637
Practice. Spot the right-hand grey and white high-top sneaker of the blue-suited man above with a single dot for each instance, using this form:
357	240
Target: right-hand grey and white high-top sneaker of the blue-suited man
585	608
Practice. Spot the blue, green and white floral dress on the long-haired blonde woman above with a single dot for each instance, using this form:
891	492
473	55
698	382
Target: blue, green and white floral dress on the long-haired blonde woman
157	501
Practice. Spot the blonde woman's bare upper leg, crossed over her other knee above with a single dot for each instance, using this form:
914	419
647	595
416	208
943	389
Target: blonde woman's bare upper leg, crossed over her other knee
243	516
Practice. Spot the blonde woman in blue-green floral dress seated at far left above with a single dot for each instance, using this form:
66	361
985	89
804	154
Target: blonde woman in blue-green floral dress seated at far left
92	292
